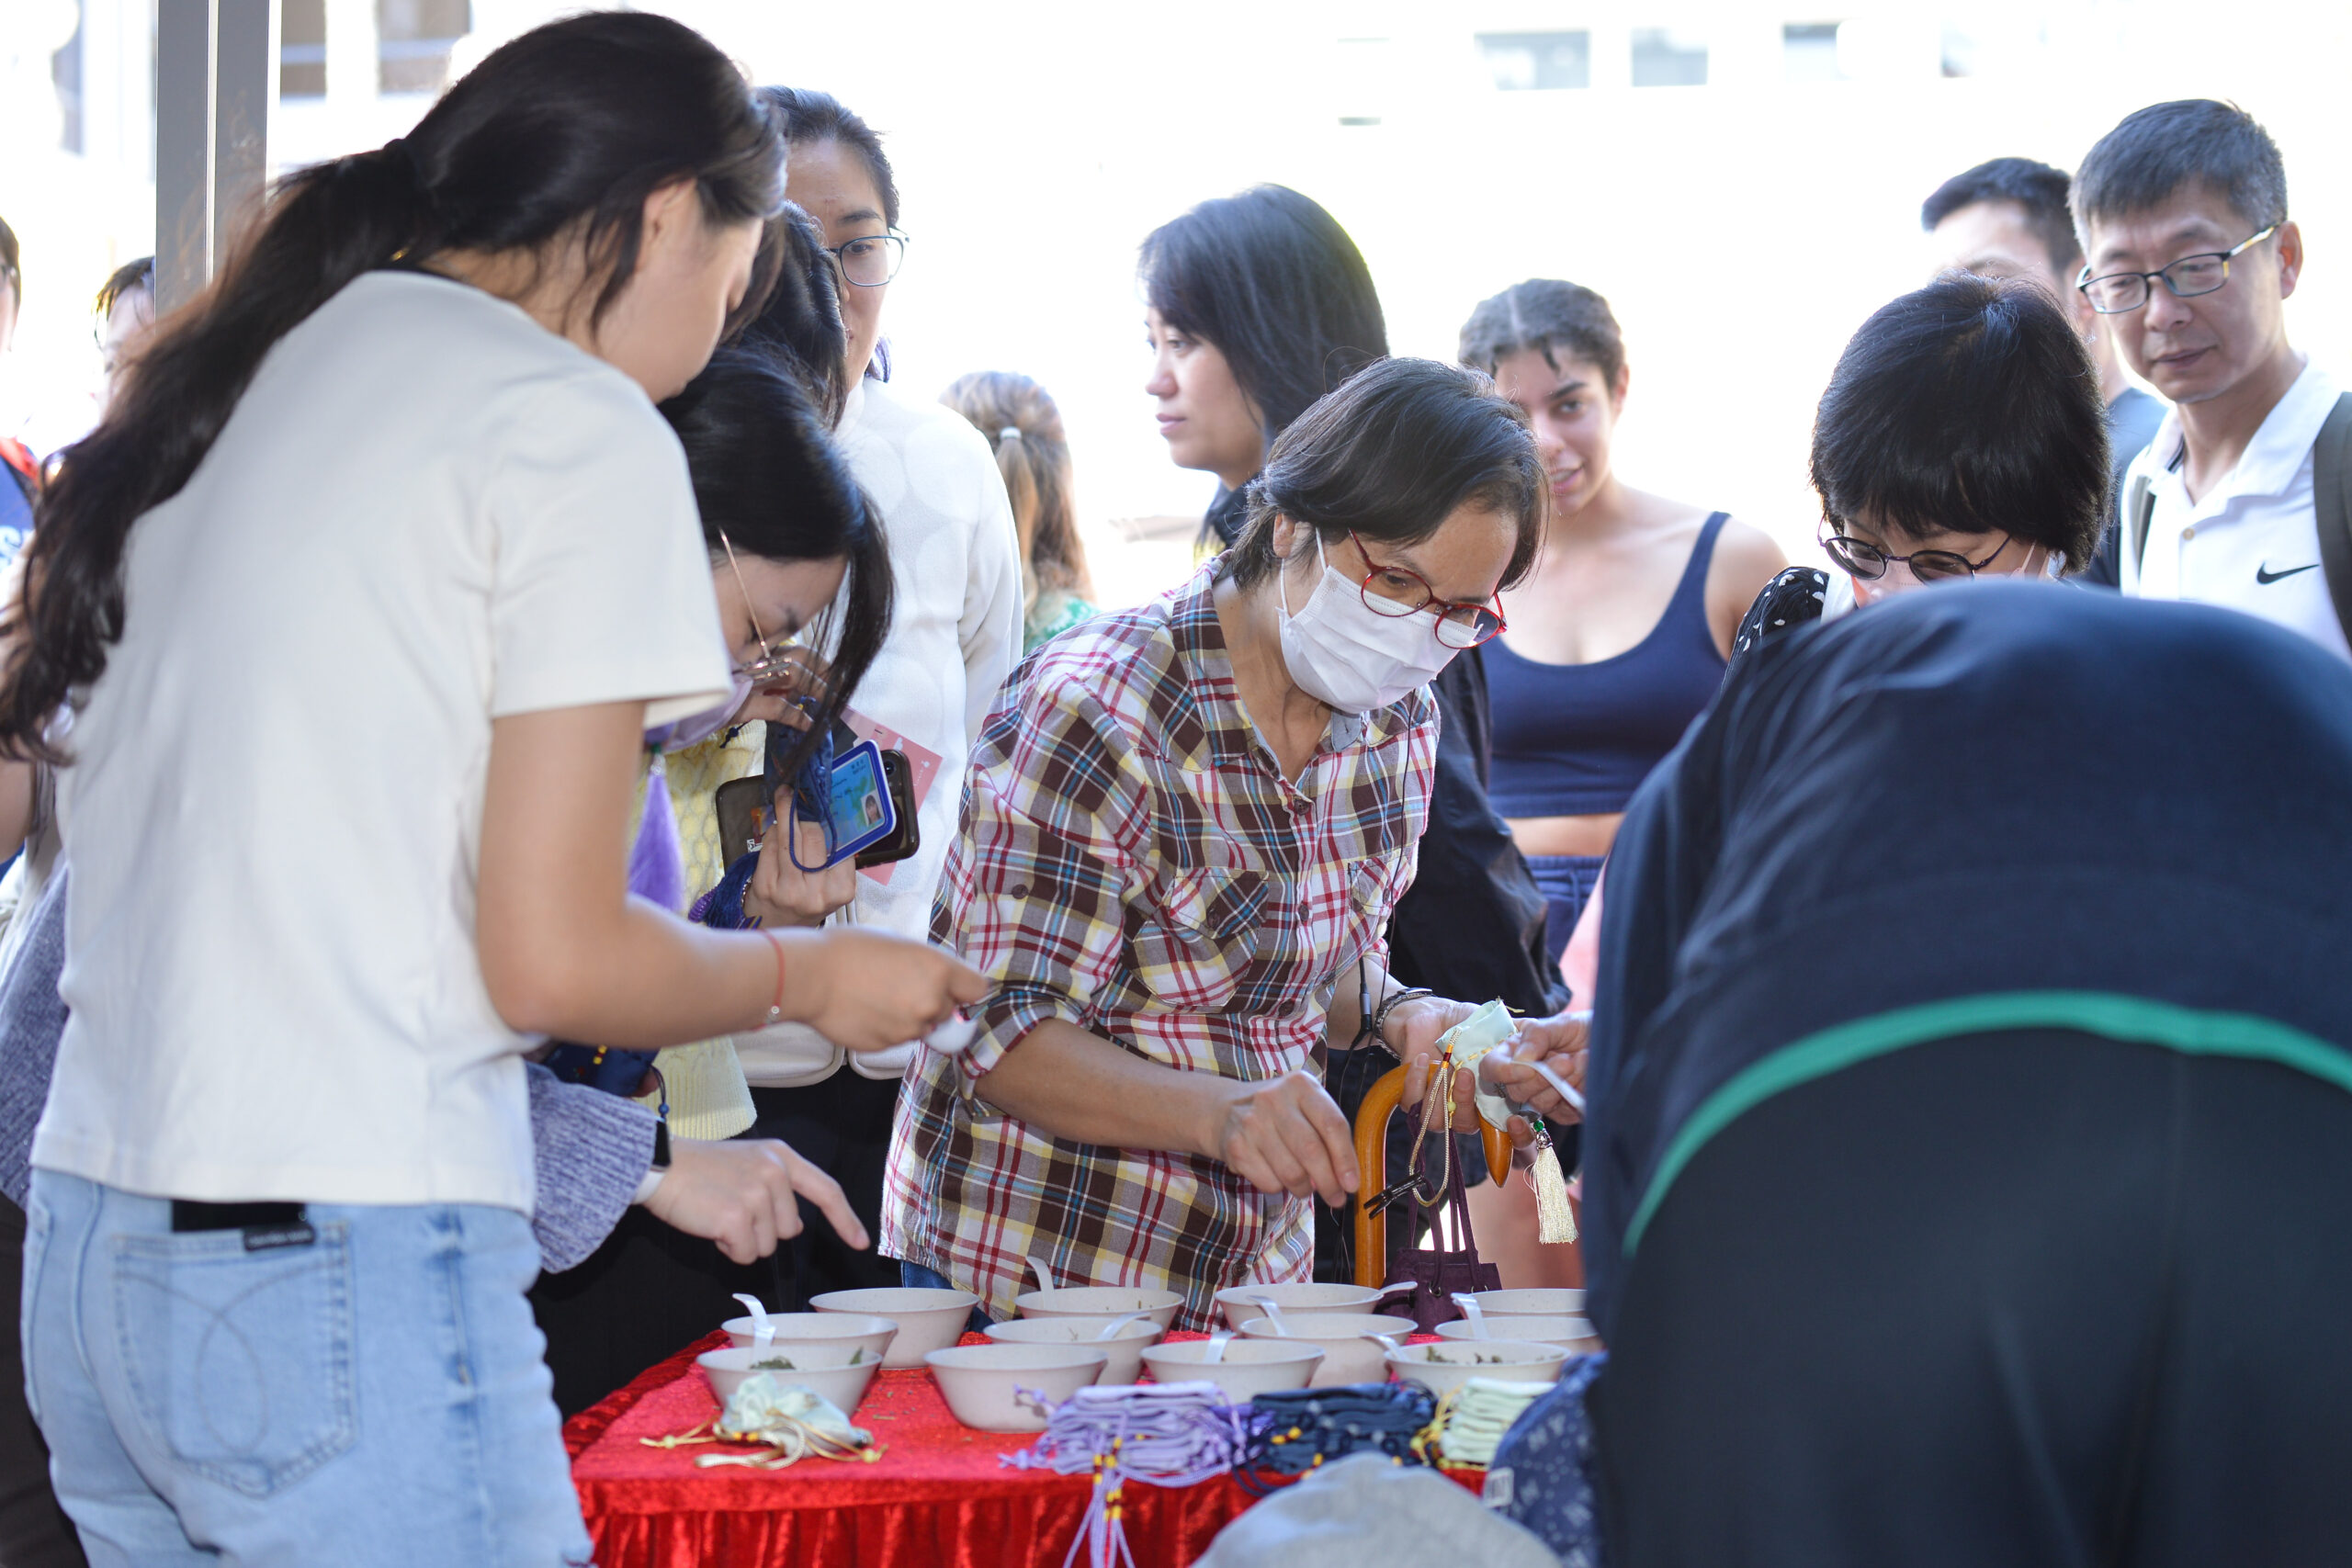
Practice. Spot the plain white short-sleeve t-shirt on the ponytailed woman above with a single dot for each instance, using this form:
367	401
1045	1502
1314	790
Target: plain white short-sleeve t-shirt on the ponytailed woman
425	514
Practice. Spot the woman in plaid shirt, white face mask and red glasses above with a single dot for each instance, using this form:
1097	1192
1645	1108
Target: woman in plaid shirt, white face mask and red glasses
1184	831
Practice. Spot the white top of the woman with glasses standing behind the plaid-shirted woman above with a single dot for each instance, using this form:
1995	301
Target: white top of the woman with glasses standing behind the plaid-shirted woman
956	636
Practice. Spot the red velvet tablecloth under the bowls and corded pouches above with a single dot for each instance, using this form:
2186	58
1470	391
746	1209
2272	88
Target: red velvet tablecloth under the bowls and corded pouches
937	1499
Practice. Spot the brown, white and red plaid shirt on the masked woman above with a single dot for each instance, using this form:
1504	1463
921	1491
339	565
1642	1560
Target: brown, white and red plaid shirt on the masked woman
1132	862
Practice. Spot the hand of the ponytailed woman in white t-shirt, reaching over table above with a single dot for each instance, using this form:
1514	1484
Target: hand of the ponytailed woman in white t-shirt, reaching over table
869	991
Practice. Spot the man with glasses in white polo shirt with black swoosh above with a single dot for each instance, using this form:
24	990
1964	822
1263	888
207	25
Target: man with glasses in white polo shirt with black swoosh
2191	257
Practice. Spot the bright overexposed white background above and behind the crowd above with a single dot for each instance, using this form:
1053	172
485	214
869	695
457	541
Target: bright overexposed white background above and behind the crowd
1739	180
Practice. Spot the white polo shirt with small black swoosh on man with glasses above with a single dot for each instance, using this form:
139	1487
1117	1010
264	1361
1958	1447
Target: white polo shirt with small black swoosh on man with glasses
2252	542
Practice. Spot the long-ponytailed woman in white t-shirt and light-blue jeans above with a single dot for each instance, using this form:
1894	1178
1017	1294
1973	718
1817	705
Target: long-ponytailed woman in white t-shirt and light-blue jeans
366	594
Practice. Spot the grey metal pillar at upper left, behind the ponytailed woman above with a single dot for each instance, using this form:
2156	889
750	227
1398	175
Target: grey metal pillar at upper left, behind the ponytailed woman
213	112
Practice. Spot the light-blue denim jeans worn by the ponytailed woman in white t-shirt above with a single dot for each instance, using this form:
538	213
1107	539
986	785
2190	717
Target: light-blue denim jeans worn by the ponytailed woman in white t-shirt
375	1395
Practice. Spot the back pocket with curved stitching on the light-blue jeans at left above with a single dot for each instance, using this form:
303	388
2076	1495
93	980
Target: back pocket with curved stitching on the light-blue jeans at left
239	1362
